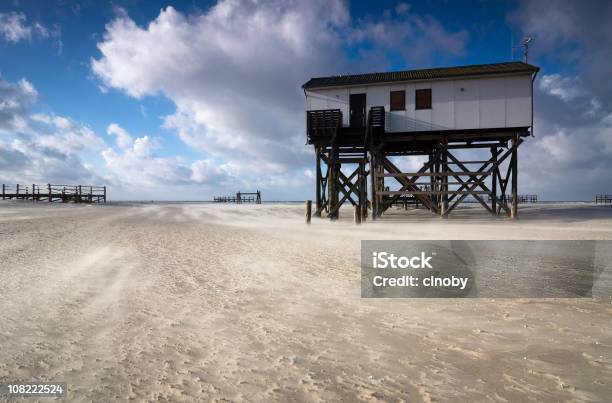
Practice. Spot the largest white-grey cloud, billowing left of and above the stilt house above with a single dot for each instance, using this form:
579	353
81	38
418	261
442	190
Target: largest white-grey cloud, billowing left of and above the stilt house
234	72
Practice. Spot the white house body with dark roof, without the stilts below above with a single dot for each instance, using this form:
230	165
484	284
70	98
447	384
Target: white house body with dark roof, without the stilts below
453	98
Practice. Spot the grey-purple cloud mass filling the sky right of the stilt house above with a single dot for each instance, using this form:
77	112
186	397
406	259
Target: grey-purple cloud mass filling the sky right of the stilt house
571	154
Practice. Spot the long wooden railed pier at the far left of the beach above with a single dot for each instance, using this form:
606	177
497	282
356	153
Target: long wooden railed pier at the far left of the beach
55	193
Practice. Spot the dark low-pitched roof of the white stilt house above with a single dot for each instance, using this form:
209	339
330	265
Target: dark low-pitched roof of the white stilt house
422	74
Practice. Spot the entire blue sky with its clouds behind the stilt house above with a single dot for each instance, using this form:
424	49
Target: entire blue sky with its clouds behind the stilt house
170	77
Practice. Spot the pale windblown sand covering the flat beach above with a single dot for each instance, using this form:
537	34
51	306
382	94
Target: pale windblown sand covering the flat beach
225	302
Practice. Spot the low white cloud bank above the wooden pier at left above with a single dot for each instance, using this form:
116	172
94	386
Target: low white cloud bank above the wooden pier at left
41	147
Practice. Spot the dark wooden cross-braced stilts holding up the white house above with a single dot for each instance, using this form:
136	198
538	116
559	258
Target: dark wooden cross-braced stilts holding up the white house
443	183
